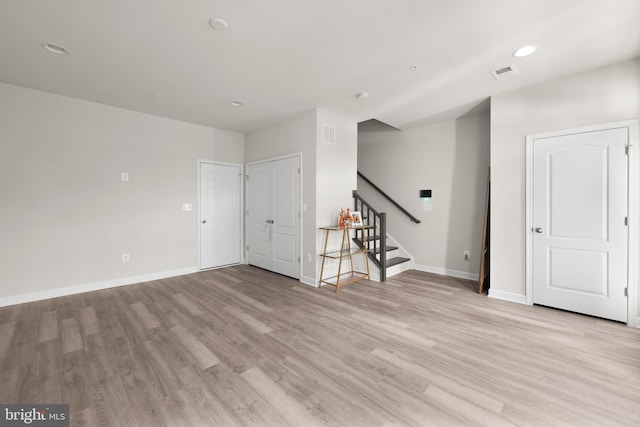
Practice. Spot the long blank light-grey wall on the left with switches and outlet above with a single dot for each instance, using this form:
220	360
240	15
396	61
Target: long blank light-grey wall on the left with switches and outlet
65	215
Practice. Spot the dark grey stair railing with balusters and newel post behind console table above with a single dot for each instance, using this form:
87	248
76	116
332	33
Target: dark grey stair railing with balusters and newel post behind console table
378	223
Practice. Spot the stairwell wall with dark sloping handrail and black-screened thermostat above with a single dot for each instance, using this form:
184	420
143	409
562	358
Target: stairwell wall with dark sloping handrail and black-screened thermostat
449	158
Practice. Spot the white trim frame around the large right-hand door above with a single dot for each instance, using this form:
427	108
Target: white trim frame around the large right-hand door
631	126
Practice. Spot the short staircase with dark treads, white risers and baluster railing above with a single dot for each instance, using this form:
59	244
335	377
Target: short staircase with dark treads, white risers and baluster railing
383	251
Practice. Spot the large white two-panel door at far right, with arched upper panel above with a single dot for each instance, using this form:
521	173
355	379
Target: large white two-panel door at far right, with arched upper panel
579	222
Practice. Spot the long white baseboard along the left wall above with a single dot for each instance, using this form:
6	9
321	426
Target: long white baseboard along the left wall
89	287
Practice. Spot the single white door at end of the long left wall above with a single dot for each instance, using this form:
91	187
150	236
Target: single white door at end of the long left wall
220	214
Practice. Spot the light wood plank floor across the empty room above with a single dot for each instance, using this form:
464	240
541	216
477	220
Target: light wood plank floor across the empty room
241	346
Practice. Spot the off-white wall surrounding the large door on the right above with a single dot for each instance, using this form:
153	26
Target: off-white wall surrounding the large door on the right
600	96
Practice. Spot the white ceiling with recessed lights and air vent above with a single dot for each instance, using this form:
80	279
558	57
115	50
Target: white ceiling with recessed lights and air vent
280	57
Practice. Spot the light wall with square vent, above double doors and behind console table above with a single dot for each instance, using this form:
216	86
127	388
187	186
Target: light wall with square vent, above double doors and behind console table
328	172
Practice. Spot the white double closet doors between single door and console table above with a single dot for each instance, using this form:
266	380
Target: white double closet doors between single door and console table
273	216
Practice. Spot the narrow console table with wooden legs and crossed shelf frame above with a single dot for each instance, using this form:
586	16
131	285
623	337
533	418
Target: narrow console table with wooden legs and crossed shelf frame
345	251
